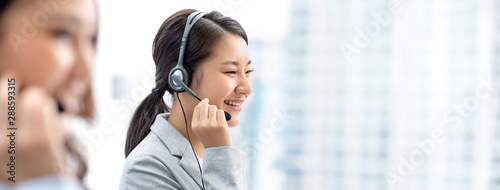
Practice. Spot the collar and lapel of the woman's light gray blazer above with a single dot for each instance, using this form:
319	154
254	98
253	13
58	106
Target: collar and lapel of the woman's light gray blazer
178	145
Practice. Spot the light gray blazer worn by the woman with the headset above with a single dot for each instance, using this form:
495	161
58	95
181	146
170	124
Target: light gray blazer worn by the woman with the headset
165	160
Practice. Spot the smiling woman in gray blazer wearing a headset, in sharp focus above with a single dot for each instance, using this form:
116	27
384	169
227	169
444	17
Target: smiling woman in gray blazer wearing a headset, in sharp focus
161	141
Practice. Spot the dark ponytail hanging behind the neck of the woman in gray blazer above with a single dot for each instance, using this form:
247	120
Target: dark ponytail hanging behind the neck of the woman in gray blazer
144	117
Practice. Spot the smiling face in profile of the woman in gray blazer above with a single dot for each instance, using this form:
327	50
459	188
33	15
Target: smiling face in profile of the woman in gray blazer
224	78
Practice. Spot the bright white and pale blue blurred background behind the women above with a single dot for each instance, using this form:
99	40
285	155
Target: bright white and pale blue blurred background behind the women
357	94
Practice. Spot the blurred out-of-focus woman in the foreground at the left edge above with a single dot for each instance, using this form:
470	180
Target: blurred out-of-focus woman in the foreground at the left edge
47	49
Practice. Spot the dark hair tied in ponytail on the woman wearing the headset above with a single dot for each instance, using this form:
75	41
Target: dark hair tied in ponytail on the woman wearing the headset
202	38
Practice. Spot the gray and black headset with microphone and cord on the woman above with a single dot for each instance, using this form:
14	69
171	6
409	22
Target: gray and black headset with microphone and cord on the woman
179	77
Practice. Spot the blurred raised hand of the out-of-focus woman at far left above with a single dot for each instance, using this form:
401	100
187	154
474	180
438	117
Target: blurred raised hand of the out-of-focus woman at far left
38	140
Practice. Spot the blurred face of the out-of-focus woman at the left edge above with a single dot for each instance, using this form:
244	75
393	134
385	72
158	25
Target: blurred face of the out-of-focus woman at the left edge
58	53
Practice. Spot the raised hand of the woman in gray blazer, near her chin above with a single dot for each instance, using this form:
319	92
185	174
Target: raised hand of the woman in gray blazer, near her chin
209	124
